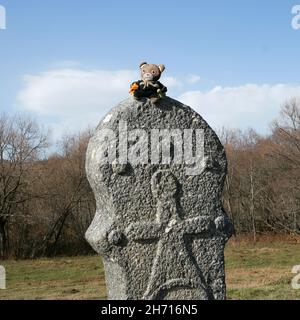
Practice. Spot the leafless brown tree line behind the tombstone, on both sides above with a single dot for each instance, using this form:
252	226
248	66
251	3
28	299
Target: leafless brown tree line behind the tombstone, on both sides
46	203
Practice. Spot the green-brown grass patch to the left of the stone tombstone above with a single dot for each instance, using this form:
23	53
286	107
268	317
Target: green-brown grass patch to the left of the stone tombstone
59	278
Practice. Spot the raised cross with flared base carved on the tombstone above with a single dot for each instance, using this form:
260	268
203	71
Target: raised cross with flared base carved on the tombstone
173	265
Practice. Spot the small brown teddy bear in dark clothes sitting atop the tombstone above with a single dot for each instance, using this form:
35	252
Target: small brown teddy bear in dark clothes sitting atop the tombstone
149	86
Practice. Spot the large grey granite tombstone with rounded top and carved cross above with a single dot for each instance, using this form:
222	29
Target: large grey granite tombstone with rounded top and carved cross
160	226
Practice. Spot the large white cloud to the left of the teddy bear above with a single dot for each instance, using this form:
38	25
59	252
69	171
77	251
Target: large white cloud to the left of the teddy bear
72	99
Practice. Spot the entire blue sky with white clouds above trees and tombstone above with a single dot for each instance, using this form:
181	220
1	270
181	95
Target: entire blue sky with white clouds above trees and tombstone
234	61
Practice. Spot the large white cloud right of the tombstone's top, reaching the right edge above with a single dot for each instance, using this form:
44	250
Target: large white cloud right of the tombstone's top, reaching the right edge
250	105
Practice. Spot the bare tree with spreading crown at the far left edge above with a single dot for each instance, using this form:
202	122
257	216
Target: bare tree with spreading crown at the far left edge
21	143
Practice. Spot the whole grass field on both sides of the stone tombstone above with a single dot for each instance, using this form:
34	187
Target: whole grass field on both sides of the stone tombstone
260	271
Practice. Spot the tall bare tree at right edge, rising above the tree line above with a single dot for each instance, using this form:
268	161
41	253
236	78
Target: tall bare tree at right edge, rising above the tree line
286	155
